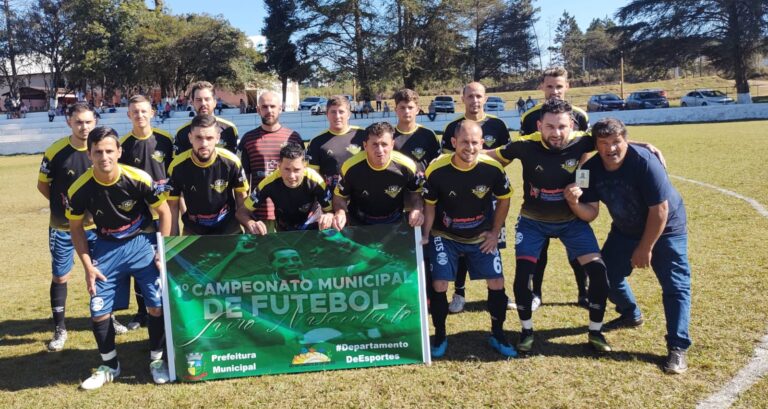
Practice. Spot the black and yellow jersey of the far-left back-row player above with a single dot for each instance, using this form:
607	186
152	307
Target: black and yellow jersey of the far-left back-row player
62	164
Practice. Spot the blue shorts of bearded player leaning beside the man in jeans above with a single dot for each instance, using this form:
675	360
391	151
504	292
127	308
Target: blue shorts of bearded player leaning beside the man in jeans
576	235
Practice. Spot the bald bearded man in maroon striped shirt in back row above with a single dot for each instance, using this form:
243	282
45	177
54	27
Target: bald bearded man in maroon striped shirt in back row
259	150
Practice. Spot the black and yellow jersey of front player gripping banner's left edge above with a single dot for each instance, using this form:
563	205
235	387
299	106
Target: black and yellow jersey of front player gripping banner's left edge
121	208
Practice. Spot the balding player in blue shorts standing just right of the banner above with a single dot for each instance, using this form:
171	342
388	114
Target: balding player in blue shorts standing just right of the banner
460	219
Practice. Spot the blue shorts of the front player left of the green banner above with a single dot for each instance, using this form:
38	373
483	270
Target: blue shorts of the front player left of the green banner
118	260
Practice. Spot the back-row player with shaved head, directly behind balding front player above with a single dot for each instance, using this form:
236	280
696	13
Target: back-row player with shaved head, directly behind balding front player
495	134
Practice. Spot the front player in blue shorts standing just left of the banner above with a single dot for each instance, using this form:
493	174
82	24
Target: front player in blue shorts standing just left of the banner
119	197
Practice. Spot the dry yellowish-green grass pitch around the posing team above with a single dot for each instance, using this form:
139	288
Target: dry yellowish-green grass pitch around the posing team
728	253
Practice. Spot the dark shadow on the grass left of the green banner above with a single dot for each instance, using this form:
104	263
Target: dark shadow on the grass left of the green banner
72	366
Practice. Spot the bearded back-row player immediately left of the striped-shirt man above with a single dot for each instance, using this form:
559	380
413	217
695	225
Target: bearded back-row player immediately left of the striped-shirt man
204	103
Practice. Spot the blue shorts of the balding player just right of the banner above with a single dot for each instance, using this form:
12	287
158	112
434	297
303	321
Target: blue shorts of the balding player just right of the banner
444	258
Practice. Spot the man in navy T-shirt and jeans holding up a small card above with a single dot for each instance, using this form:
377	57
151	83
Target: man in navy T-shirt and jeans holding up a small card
648	230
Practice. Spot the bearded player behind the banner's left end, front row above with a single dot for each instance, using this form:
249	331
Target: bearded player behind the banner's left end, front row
210	179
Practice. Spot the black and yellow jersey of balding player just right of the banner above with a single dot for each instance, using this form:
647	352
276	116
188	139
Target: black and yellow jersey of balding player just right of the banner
463	197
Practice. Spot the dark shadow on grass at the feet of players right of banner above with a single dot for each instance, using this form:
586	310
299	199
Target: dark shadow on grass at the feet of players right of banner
473	346
